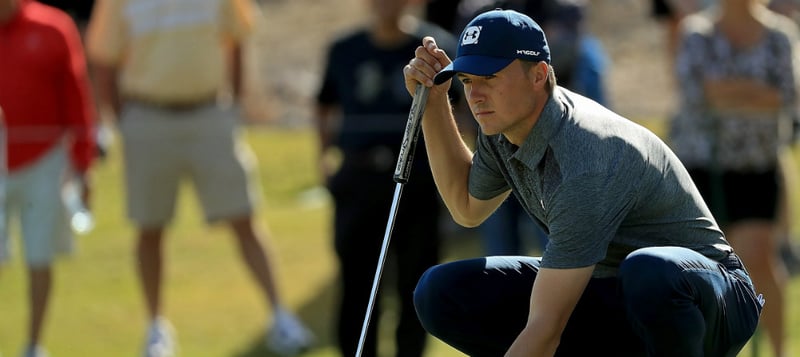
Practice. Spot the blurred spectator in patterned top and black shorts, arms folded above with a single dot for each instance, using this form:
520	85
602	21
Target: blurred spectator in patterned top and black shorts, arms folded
737	74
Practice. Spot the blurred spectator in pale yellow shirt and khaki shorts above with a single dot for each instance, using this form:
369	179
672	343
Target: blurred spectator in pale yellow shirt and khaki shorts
160	67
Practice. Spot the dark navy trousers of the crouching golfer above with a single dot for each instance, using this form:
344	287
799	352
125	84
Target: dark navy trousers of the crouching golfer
665	301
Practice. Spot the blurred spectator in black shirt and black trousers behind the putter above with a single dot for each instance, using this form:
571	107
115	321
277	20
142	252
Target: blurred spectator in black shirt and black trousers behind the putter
363	108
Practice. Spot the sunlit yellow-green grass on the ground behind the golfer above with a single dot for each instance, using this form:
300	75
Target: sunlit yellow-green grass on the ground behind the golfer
97	308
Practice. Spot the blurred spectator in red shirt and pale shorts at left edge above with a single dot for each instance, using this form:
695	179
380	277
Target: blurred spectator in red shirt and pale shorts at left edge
49	117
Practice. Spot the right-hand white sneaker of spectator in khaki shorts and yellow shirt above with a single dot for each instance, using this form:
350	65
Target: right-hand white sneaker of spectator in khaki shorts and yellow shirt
288	336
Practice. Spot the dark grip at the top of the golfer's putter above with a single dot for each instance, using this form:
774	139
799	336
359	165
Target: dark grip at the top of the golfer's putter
406	157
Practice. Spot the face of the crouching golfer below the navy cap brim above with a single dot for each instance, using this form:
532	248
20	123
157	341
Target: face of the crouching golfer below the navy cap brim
502	103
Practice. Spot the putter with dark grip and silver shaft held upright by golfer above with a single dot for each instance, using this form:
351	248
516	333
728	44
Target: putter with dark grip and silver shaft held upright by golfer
401	174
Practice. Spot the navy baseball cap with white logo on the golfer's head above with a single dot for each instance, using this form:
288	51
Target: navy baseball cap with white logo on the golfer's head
494	39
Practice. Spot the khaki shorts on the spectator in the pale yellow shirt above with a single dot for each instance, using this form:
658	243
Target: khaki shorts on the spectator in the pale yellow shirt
204	145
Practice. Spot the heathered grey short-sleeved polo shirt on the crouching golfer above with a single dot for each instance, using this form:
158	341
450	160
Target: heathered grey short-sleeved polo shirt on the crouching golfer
600	185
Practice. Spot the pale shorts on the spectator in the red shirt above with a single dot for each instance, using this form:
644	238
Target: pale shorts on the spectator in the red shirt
33	195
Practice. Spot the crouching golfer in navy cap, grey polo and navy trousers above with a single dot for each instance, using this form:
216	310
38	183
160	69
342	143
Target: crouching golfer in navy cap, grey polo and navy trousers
636	264
